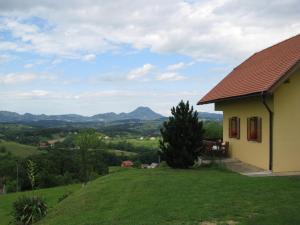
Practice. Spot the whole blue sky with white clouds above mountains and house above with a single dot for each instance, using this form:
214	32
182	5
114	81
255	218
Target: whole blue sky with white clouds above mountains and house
96	56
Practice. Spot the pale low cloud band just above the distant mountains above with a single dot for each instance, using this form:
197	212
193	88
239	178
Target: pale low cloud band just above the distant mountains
92	102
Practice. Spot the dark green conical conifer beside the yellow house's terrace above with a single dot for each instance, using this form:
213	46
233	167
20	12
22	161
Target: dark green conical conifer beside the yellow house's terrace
182	137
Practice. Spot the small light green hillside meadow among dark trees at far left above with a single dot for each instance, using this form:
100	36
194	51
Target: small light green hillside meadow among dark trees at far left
18	149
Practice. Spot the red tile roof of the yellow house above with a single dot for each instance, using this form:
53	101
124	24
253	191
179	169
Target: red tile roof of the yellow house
258	73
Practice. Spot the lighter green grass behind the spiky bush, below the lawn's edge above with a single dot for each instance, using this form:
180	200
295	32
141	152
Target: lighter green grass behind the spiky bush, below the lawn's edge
50	194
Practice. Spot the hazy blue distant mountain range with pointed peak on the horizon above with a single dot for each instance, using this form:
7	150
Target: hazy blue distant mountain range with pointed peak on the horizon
141	113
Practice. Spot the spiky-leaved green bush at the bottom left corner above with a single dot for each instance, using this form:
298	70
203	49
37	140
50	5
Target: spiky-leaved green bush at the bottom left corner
27	210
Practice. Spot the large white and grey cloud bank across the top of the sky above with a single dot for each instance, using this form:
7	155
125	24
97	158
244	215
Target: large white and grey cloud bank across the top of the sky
217	29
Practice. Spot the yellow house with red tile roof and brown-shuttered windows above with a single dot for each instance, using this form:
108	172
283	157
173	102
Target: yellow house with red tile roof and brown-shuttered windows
260	100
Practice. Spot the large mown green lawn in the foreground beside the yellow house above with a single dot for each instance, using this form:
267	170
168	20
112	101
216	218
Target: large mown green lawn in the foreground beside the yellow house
165	196
